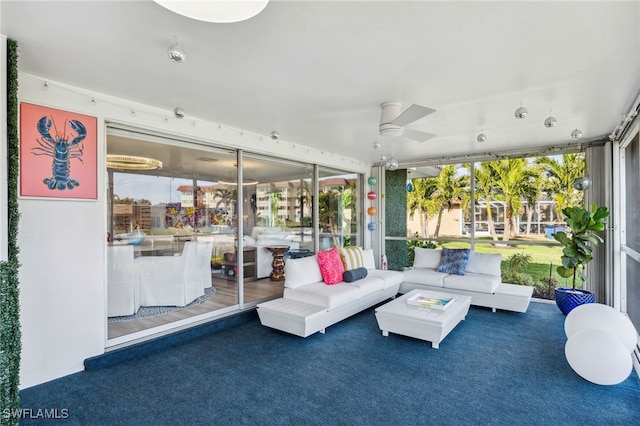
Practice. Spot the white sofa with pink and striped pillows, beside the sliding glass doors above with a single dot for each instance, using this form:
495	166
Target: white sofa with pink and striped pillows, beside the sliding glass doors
309	305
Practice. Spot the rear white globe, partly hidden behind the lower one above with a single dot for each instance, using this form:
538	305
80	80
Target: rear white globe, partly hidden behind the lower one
601	317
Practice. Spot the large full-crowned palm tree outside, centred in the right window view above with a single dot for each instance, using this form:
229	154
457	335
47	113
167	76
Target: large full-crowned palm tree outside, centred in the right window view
513	177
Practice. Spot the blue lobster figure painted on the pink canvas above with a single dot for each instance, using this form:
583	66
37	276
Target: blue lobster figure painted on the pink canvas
61	150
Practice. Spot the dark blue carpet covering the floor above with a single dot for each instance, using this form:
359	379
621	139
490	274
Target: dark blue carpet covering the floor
494	369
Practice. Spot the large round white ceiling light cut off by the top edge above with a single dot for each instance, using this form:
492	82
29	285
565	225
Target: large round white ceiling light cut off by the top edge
215	11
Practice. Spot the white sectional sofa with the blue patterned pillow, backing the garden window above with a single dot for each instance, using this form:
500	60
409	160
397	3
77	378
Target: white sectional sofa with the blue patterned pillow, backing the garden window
481	281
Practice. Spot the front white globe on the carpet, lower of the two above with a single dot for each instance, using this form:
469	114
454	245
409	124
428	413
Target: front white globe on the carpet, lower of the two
598	357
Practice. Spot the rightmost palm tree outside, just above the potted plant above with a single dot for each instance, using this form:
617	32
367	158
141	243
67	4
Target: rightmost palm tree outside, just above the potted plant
559	183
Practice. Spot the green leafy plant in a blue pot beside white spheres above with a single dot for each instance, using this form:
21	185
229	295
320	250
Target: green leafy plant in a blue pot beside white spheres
578	251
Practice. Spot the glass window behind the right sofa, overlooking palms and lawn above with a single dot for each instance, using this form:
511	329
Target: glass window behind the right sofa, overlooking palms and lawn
516	213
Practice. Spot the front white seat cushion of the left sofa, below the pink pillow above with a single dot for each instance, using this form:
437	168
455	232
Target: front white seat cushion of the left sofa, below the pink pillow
329	296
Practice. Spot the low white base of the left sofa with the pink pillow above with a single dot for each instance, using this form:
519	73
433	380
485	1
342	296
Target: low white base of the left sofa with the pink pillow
303	319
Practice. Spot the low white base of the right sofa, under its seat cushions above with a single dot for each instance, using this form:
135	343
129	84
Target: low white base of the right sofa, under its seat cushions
508	297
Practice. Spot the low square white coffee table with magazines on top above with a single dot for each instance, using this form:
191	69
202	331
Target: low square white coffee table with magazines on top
429	324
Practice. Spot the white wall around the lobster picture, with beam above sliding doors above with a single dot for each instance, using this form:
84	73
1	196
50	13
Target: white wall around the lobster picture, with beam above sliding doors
62	243
